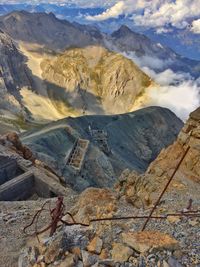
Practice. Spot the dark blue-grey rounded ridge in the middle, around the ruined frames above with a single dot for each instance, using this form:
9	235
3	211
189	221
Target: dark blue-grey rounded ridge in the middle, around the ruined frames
134	140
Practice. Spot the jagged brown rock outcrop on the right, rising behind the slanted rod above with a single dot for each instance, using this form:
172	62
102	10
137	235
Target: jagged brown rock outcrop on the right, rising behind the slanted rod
141	190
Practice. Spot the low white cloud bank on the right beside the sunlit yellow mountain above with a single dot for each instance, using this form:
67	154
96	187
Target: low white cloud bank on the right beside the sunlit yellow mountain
177	91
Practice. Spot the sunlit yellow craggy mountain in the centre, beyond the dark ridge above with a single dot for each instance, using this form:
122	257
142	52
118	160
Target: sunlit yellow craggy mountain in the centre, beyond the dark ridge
95	80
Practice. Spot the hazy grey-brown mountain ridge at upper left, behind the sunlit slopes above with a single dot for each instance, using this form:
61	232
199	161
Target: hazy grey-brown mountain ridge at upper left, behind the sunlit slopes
45	29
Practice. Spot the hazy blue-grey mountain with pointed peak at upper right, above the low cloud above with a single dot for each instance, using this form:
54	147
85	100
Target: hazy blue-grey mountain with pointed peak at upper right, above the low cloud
125	40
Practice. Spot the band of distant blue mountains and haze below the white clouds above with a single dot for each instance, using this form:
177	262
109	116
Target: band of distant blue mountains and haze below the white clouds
177	39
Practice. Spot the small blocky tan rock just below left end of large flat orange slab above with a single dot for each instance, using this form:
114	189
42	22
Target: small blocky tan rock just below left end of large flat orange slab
120	252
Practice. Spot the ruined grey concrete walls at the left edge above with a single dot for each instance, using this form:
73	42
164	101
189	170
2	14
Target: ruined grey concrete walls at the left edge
20	180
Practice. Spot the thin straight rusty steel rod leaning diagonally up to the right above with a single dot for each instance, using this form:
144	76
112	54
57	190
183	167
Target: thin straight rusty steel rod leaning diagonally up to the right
165	188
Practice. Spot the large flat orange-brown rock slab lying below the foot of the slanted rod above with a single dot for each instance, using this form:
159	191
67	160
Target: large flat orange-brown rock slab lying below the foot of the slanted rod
147	240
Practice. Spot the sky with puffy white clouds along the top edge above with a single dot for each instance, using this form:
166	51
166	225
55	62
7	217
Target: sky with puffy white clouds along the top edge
158	14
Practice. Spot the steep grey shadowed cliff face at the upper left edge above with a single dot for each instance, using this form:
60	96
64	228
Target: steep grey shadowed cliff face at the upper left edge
13	74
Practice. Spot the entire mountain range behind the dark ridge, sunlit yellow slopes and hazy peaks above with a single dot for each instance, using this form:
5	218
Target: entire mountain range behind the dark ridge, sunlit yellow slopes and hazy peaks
71	69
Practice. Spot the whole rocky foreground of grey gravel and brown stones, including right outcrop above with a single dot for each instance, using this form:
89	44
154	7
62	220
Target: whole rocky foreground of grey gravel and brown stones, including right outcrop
172	240
